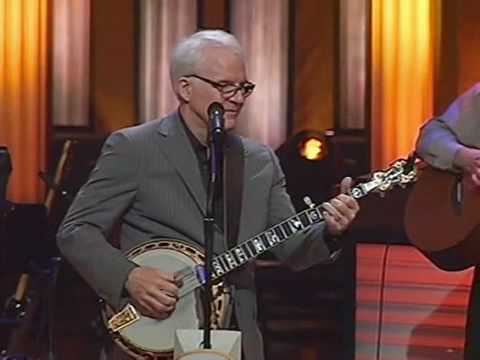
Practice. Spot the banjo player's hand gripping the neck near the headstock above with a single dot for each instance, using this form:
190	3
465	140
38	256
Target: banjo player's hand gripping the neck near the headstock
341	210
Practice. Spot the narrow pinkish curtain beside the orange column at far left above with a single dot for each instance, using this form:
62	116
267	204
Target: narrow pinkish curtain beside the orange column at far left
71	60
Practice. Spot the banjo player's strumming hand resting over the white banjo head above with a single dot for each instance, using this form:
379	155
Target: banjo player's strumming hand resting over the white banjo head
154	292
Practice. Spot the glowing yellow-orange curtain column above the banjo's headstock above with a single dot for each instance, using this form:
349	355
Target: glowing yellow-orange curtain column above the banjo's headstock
403	49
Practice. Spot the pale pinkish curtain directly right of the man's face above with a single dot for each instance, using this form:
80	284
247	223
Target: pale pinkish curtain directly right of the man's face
262	28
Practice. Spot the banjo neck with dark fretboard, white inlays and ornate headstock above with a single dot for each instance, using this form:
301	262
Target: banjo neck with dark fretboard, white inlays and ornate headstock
270	238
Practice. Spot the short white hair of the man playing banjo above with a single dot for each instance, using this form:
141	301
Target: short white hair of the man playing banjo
188	53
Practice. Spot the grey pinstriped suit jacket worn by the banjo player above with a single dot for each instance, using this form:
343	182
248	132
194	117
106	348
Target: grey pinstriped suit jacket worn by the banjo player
147	177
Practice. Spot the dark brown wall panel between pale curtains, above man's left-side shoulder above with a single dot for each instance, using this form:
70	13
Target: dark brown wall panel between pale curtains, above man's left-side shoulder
113	64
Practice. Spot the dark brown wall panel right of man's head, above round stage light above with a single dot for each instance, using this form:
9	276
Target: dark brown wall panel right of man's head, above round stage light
315	58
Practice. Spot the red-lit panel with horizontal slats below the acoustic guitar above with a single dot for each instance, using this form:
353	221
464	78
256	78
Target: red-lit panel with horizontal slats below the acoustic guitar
406	307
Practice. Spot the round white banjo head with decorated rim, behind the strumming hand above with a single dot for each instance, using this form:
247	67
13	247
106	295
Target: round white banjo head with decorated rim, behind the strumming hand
155	338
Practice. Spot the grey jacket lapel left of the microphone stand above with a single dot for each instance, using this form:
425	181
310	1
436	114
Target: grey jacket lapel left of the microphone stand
177	148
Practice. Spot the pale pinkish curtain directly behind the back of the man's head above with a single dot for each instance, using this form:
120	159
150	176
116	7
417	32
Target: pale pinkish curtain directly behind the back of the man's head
162	24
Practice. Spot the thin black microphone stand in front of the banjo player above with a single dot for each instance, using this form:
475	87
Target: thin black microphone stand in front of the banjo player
215	148
